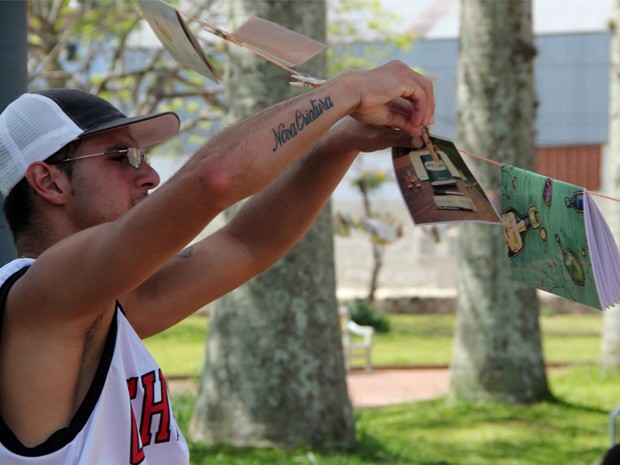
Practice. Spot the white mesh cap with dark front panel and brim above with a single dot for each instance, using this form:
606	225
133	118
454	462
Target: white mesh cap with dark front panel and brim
37	125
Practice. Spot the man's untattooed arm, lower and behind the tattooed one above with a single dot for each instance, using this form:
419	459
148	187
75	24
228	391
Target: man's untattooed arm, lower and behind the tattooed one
264	229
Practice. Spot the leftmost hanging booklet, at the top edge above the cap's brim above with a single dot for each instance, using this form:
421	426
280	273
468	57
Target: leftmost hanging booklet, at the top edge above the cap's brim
176	37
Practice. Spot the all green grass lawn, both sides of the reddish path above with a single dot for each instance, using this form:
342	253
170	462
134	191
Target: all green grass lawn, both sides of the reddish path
571	429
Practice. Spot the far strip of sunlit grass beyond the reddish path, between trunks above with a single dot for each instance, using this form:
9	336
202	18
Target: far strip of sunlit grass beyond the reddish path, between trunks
413	340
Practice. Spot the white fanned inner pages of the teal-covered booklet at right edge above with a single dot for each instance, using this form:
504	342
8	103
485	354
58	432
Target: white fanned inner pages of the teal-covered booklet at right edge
604	253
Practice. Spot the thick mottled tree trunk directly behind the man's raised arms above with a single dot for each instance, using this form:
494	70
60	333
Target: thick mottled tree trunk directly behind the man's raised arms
274	371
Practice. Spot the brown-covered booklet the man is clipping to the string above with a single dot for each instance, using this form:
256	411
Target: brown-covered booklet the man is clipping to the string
438	187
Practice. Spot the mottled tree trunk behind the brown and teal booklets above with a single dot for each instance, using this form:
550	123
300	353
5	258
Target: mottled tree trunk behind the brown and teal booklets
497	351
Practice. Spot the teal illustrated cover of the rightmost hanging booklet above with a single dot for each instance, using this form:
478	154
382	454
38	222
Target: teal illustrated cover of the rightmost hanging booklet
545	235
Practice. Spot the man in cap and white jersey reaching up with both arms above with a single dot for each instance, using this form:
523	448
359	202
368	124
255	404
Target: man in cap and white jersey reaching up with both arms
102	262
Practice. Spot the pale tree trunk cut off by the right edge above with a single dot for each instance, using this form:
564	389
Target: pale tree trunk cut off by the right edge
611	322
